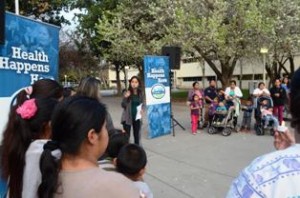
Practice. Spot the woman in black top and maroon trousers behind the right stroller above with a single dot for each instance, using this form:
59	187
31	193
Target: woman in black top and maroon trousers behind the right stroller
278	95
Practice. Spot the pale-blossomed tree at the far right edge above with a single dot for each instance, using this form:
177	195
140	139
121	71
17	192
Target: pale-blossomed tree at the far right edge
283	39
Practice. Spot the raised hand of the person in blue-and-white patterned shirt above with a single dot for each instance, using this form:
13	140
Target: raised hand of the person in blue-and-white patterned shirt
283	140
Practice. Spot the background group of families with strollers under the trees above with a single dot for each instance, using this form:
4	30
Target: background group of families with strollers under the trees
206	104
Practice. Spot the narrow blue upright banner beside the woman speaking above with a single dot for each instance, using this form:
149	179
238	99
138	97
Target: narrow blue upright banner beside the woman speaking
157	89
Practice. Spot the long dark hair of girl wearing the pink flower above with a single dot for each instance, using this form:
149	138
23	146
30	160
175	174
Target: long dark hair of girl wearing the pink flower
18	135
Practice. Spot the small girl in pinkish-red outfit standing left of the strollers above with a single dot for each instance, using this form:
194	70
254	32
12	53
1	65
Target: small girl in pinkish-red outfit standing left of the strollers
195	112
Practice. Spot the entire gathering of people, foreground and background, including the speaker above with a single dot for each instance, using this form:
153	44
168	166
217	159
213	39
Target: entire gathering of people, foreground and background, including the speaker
57	138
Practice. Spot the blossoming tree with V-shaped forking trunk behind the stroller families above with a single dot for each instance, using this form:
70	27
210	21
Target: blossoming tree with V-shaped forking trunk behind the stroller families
220	31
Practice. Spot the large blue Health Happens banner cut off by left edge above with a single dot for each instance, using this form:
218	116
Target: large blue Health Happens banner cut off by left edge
30	52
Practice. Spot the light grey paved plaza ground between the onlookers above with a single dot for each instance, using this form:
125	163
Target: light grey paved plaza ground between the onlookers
187	166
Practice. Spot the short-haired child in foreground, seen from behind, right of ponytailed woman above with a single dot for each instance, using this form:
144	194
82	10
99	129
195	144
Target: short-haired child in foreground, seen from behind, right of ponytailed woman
131	162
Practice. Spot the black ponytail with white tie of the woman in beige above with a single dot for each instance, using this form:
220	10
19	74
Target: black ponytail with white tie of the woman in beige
49	166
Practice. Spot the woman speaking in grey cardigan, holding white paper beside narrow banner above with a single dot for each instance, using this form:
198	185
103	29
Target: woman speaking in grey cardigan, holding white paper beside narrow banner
131	100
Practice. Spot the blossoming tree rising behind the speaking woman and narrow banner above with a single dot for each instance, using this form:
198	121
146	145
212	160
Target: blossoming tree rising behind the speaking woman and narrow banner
132	33
